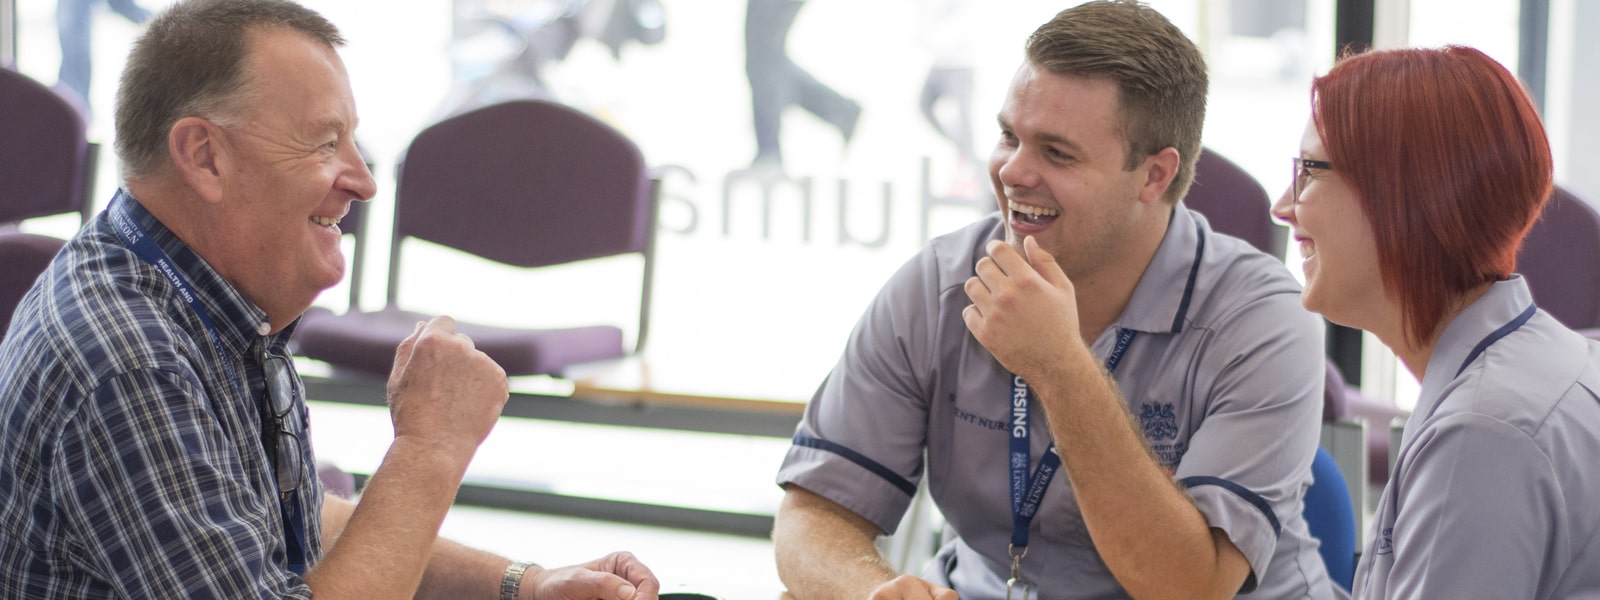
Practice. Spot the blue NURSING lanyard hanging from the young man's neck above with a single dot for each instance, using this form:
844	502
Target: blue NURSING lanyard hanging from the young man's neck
1028	492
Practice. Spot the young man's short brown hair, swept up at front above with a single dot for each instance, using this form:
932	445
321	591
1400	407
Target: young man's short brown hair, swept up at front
1159	73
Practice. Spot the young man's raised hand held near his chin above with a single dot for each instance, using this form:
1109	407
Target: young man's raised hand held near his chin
1025	310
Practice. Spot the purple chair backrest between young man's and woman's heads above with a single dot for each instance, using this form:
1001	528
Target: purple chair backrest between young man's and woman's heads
1236	204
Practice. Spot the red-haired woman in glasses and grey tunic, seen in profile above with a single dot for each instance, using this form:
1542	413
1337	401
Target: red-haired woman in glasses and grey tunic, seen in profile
1418	177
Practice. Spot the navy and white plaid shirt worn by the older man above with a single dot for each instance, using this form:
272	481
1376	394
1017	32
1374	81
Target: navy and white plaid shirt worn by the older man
130	465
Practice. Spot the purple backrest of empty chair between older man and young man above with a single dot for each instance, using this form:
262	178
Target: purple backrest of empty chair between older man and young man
530	185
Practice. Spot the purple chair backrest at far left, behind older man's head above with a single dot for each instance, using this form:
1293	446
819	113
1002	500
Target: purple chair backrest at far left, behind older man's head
46	161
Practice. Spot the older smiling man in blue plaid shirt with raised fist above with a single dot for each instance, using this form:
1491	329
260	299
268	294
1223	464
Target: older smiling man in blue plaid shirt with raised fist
156	431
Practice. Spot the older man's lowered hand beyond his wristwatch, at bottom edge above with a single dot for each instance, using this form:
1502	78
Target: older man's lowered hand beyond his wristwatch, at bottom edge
615	577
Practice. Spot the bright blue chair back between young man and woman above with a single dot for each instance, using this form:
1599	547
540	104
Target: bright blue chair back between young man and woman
1332	519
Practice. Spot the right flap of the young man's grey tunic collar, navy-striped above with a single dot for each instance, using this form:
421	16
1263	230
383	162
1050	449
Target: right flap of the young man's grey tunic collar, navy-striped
1162	298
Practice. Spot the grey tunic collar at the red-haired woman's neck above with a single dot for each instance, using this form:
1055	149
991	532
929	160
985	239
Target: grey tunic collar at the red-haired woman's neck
1502	305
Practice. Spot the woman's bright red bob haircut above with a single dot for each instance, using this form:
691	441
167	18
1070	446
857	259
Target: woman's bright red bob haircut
1450	162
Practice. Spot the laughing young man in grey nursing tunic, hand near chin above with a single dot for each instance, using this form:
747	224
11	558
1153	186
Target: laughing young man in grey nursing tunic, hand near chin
1092	326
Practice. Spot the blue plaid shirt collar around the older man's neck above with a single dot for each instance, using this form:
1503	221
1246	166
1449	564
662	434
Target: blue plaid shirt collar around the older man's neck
238	319
